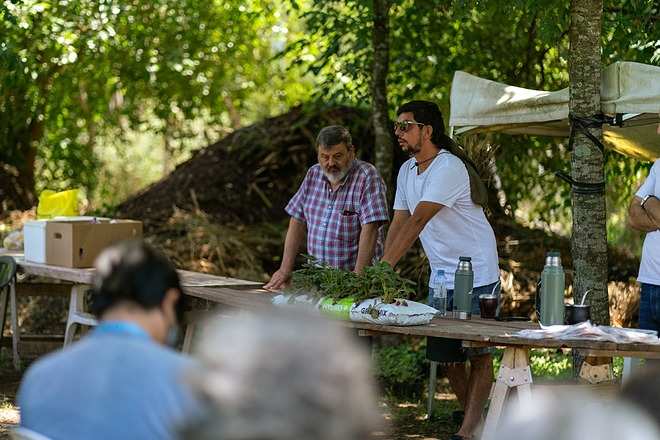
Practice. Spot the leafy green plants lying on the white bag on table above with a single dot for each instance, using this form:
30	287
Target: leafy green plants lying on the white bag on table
379	280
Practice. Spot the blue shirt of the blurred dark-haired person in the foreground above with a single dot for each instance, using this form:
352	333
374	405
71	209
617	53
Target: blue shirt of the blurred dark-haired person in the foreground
106	387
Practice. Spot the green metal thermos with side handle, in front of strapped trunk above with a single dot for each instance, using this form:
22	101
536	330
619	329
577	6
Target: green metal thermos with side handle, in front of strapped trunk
552	291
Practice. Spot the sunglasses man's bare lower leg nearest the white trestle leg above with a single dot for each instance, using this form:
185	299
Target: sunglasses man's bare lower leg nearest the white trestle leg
479	384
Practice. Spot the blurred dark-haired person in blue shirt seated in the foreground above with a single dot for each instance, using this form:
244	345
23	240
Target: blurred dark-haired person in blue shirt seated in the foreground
120	381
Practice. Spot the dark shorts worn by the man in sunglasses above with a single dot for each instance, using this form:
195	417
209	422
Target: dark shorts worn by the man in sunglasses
450	351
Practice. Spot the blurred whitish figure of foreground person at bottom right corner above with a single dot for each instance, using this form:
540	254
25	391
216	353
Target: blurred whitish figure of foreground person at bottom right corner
574	415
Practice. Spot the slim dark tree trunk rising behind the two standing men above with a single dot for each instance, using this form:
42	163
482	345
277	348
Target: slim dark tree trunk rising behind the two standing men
384	142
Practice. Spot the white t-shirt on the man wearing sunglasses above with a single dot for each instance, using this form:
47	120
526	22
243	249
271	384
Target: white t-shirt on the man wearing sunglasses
460	228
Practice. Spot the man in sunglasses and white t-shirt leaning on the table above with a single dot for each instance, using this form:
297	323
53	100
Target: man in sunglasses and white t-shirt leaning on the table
440	198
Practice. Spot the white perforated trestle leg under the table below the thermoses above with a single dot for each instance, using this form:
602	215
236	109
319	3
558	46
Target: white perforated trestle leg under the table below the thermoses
514	373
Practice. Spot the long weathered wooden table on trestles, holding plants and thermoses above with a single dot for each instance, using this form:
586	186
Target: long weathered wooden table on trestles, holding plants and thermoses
514	371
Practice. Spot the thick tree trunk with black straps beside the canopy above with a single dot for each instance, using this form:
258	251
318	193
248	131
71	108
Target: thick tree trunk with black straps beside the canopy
589	239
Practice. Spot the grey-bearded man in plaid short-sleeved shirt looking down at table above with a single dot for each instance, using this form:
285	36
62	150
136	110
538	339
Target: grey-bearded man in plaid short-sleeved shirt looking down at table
340	207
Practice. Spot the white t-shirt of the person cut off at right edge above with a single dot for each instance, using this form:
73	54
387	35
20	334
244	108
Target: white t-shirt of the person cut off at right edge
649	269
